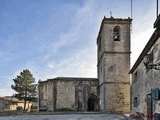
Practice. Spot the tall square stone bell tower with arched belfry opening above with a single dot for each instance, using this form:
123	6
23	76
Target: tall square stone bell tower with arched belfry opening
113	54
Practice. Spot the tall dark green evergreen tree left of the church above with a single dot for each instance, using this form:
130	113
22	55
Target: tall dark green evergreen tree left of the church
25	87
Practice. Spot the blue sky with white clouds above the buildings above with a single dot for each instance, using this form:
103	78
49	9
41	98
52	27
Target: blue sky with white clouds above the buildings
57	38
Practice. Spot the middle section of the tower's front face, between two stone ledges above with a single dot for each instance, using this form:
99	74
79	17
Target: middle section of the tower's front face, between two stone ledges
117	67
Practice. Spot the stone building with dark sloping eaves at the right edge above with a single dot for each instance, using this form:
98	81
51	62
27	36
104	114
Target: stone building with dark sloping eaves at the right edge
146	76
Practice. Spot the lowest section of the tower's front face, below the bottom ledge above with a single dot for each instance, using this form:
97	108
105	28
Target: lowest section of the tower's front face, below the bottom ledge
117	99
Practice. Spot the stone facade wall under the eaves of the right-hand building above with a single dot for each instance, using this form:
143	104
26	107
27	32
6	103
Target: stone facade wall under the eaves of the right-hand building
143	80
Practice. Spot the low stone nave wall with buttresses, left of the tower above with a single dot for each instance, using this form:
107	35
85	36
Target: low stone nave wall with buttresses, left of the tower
68	93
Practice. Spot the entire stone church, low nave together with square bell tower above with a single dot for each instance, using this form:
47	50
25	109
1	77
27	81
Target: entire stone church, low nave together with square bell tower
110	92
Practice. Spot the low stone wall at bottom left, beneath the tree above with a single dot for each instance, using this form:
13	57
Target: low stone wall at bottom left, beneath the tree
10	112
